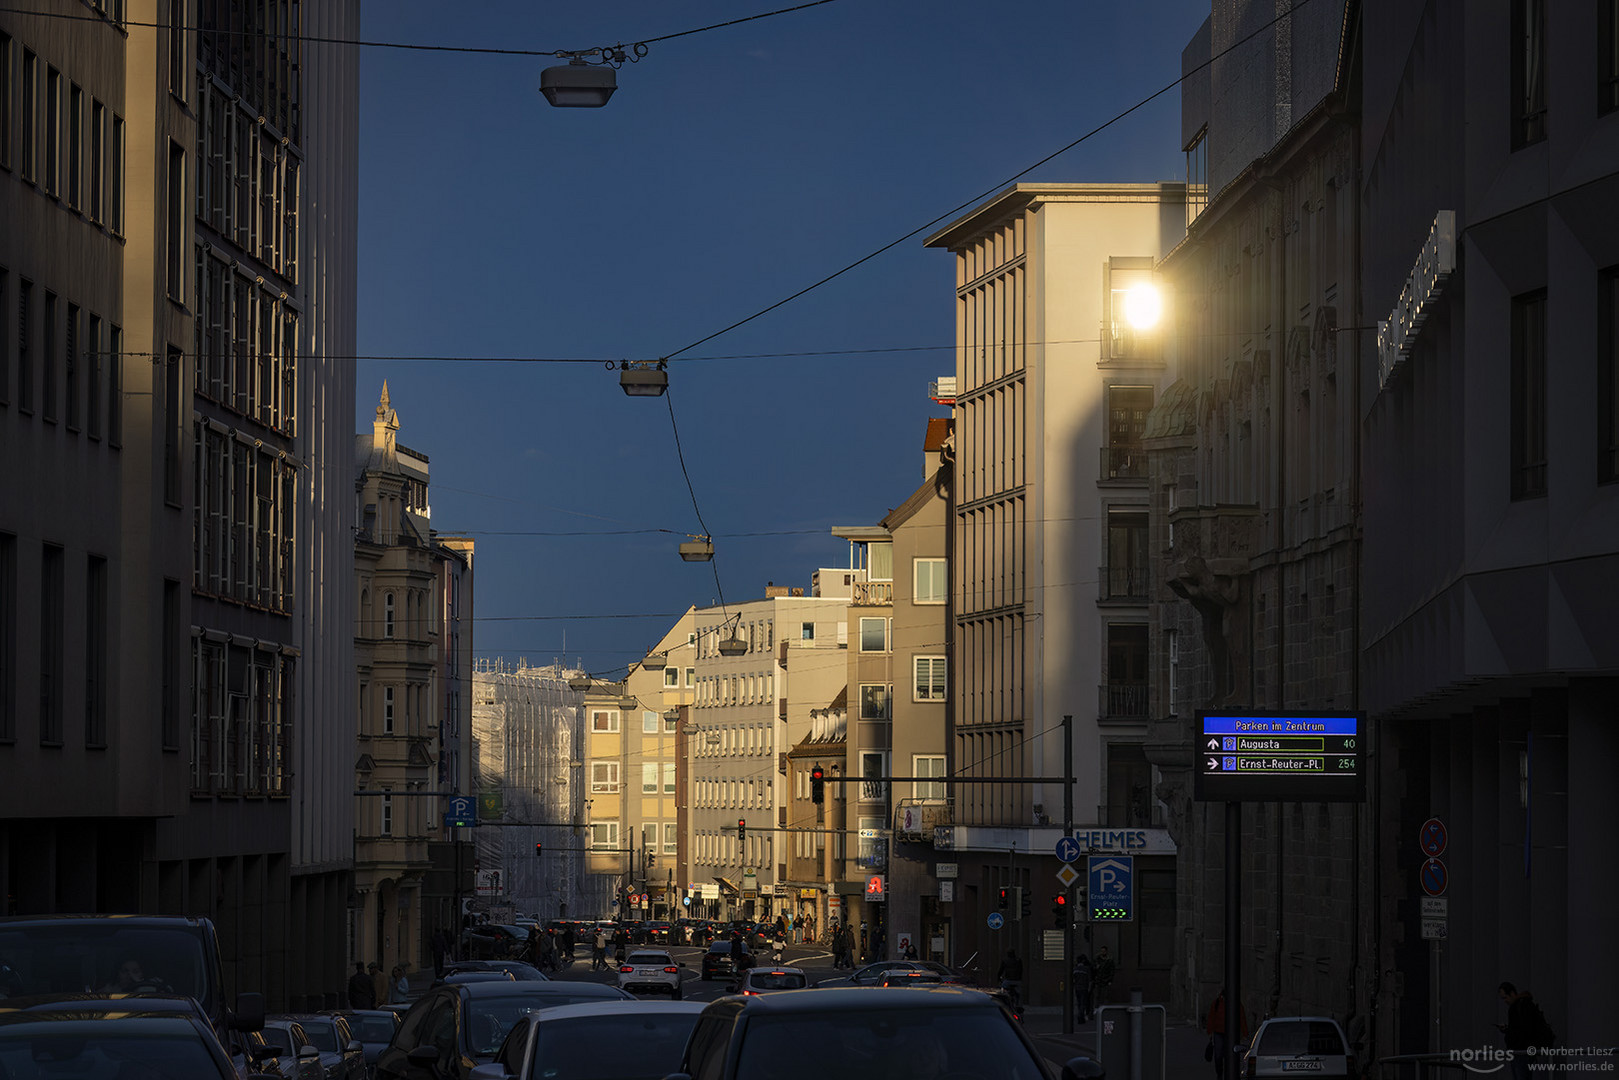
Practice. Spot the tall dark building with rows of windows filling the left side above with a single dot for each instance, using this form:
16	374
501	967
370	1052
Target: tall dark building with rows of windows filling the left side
177	273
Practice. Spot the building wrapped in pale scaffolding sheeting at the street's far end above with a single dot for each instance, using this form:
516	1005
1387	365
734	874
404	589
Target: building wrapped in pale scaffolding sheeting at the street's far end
529	741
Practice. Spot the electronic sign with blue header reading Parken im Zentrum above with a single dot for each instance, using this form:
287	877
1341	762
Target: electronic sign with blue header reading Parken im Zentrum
1281	757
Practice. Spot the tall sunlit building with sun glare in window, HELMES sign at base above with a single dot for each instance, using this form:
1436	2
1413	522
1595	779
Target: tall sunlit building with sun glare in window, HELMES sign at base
1053	388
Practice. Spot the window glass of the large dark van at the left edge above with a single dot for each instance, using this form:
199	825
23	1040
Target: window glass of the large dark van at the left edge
104	959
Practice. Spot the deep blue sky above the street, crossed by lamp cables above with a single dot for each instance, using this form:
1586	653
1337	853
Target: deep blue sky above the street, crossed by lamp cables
733	169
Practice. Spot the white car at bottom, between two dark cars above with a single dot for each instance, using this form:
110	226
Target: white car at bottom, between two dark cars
608	1039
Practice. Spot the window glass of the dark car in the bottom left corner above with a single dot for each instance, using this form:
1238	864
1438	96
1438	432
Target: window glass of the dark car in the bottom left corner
95	1050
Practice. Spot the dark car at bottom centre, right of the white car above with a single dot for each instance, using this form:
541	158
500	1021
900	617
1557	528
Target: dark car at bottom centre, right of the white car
859	1034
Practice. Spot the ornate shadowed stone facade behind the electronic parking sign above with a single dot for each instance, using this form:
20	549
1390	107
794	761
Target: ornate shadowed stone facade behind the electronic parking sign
1256	496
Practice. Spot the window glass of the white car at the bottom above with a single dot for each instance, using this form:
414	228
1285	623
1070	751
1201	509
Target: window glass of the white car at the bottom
639	1044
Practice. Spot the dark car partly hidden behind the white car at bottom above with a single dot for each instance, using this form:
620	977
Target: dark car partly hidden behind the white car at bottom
454	1029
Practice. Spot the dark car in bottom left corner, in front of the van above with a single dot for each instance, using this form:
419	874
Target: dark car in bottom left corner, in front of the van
174	1039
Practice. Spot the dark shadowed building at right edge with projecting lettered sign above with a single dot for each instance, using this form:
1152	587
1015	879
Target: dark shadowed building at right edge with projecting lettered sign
1490	409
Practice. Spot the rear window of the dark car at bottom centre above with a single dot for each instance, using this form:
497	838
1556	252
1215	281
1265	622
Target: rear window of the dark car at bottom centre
886	1044
